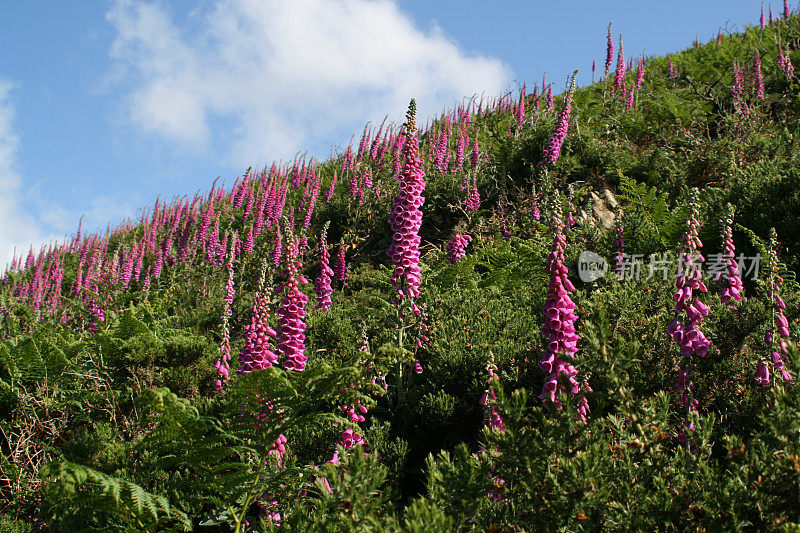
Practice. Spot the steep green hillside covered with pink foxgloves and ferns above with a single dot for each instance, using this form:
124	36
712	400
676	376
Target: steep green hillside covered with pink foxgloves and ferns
408	335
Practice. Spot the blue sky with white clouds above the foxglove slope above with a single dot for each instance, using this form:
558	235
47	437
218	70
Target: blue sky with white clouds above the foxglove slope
106	105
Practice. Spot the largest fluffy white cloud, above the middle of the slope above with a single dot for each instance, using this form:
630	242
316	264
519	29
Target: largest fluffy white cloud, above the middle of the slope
284	76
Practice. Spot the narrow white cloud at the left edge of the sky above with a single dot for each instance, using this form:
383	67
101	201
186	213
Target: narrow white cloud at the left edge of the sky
17	228
